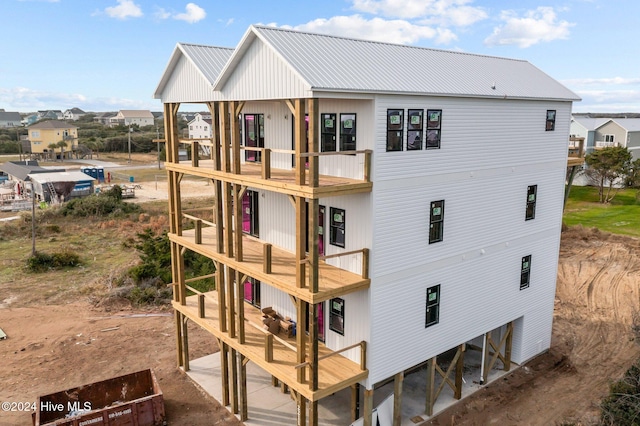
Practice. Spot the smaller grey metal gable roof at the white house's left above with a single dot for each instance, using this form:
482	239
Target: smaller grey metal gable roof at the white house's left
208	60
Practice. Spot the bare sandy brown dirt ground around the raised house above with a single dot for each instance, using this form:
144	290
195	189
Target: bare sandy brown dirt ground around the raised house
55	347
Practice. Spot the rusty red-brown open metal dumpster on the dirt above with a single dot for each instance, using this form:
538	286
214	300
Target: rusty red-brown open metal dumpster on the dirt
134	399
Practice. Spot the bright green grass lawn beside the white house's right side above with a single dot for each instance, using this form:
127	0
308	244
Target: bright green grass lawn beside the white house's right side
621	216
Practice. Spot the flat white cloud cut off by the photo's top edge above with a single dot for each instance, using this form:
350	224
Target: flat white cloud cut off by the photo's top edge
442	12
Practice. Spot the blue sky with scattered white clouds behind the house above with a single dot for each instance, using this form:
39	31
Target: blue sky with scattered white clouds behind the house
107	55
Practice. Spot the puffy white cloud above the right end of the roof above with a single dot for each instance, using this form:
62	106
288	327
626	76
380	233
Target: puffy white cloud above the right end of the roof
540	25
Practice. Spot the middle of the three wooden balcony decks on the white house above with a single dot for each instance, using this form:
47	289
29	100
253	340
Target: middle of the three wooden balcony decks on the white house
277	267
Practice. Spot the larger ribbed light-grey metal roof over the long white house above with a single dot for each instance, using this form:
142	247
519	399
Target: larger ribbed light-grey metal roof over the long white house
330	63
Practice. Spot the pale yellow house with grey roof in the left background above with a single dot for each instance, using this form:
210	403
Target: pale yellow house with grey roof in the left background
45	133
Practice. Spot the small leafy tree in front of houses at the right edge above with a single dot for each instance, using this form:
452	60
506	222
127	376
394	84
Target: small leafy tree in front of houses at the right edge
607	167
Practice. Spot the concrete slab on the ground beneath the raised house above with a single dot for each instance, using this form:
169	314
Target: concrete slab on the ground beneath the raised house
268	406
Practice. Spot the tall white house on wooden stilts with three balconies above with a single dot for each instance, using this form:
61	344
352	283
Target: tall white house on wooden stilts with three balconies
425	221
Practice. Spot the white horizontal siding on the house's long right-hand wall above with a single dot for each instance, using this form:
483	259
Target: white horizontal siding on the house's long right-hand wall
491	150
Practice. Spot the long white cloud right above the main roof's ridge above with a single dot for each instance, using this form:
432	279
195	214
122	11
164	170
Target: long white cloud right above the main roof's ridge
392	31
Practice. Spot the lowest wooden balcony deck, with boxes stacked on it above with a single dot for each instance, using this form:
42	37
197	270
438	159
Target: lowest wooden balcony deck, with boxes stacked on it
276	354
